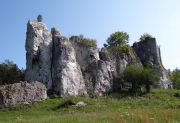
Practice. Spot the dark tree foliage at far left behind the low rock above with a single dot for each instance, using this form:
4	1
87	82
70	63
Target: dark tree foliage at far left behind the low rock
10	73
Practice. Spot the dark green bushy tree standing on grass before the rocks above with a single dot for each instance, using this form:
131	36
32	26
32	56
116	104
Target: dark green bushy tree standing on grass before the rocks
139	77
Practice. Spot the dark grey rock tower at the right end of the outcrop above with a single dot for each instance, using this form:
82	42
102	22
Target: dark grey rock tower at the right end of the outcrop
149	54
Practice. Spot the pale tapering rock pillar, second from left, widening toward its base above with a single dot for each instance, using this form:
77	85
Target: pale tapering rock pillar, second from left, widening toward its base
68	79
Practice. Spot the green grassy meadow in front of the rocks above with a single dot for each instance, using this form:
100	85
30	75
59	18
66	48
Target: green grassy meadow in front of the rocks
159	106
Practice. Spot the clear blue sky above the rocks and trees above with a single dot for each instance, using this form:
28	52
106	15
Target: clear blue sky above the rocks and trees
95	19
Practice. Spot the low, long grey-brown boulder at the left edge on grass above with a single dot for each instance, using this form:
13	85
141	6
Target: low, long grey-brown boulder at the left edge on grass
22	93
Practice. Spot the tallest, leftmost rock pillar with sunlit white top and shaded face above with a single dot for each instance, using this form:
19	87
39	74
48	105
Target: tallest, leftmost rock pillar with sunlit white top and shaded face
39	53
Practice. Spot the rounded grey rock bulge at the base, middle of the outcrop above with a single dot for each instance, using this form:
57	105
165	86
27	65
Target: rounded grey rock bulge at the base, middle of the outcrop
98	79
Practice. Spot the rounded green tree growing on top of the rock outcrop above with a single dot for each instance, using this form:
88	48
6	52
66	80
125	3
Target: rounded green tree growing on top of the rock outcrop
118	39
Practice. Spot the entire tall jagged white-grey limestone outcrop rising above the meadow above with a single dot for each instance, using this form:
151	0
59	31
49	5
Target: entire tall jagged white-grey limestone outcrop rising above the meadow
71	66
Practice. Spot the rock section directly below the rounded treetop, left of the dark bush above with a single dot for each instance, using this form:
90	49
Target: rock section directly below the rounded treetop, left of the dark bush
117	62
